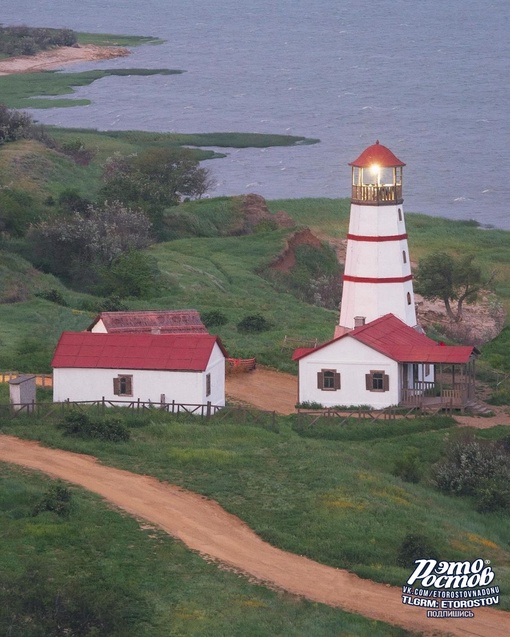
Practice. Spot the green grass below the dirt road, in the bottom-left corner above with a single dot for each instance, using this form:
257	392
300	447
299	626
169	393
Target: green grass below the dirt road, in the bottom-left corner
110	564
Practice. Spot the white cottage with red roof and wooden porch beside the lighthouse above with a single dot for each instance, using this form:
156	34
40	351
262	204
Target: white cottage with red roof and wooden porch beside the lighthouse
384	363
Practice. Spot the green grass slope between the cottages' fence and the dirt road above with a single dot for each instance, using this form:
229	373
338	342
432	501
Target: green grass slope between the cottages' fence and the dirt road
335	501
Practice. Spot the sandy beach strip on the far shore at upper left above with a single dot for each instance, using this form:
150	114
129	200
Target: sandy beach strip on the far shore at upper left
54	59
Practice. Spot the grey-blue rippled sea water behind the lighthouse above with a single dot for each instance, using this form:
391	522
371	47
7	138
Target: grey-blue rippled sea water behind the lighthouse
429	79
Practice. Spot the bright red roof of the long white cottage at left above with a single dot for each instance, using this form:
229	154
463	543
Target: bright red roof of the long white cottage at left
170	352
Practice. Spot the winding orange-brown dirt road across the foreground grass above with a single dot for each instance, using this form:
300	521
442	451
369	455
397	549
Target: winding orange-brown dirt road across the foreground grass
206	528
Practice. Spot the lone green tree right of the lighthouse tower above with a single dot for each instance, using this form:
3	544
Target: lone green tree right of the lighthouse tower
442	276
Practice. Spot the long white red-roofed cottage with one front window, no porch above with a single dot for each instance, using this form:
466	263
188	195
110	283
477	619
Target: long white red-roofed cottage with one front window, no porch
161	368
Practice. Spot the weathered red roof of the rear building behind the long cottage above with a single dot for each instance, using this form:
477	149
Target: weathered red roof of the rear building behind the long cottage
166	321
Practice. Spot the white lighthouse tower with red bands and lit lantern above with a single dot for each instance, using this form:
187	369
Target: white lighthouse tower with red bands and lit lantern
377	277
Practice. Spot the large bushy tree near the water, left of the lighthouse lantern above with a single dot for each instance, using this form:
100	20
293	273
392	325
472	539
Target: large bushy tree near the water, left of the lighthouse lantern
158	177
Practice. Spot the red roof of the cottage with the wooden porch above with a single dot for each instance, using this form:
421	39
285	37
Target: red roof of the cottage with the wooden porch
393	338
